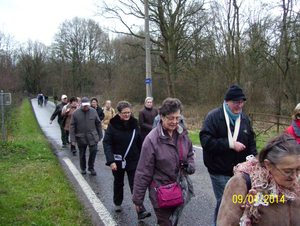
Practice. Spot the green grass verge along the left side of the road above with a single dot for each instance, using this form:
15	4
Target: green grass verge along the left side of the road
33	187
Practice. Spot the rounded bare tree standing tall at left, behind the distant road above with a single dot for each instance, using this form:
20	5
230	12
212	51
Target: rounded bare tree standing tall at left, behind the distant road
78	52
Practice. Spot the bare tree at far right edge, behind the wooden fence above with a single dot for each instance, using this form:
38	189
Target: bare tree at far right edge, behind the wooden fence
283	54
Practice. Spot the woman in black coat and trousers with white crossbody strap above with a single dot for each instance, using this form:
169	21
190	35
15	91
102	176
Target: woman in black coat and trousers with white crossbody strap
122	146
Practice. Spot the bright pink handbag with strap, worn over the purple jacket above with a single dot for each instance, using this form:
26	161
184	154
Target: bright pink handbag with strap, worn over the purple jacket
170	195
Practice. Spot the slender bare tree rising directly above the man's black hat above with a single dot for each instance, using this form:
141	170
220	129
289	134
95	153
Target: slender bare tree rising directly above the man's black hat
228	25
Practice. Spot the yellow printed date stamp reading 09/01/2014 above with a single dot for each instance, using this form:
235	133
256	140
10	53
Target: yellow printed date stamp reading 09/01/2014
261	199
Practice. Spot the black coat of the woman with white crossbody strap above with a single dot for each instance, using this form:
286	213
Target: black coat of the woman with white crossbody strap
117	138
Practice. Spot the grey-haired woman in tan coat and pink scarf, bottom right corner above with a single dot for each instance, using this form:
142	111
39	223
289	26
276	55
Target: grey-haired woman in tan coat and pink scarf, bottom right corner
273	198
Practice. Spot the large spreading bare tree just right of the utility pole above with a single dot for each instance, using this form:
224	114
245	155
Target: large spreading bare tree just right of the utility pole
170	29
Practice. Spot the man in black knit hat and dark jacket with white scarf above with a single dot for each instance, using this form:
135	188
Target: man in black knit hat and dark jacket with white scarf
227	139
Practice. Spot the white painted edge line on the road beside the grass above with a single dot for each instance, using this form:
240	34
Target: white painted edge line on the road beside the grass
97	204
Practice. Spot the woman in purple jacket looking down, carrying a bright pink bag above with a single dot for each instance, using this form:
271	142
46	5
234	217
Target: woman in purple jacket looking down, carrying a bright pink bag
161	162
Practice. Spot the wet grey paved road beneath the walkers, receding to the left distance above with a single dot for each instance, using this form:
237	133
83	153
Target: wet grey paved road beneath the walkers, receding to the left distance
96	191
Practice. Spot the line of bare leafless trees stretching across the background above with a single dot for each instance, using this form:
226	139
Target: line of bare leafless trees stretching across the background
198	51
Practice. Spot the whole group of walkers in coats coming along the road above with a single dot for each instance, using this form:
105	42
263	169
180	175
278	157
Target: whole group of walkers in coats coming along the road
156	154
